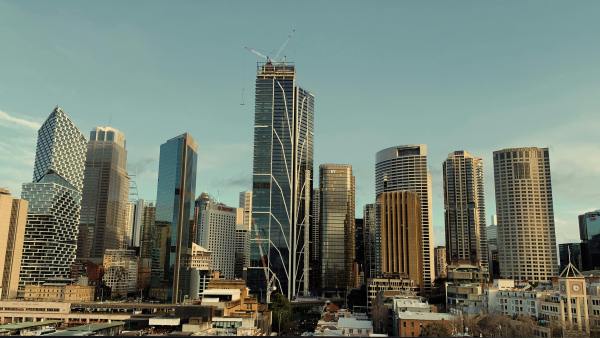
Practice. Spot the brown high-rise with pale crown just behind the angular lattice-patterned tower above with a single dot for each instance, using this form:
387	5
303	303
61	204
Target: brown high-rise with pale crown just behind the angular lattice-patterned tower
105	195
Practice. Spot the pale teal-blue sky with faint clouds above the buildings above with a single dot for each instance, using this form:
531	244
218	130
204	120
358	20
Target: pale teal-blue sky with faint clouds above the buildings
470	75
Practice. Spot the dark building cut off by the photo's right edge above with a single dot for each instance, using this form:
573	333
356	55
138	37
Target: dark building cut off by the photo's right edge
589	232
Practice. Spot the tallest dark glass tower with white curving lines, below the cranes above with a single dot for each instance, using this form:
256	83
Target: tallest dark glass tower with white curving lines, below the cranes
282	183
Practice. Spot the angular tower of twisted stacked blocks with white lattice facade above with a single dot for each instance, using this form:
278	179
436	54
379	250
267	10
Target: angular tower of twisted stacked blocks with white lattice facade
54	199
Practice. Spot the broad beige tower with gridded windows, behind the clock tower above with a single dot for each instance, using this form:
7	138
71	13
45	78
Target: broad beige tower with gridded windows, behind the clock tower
526	237
